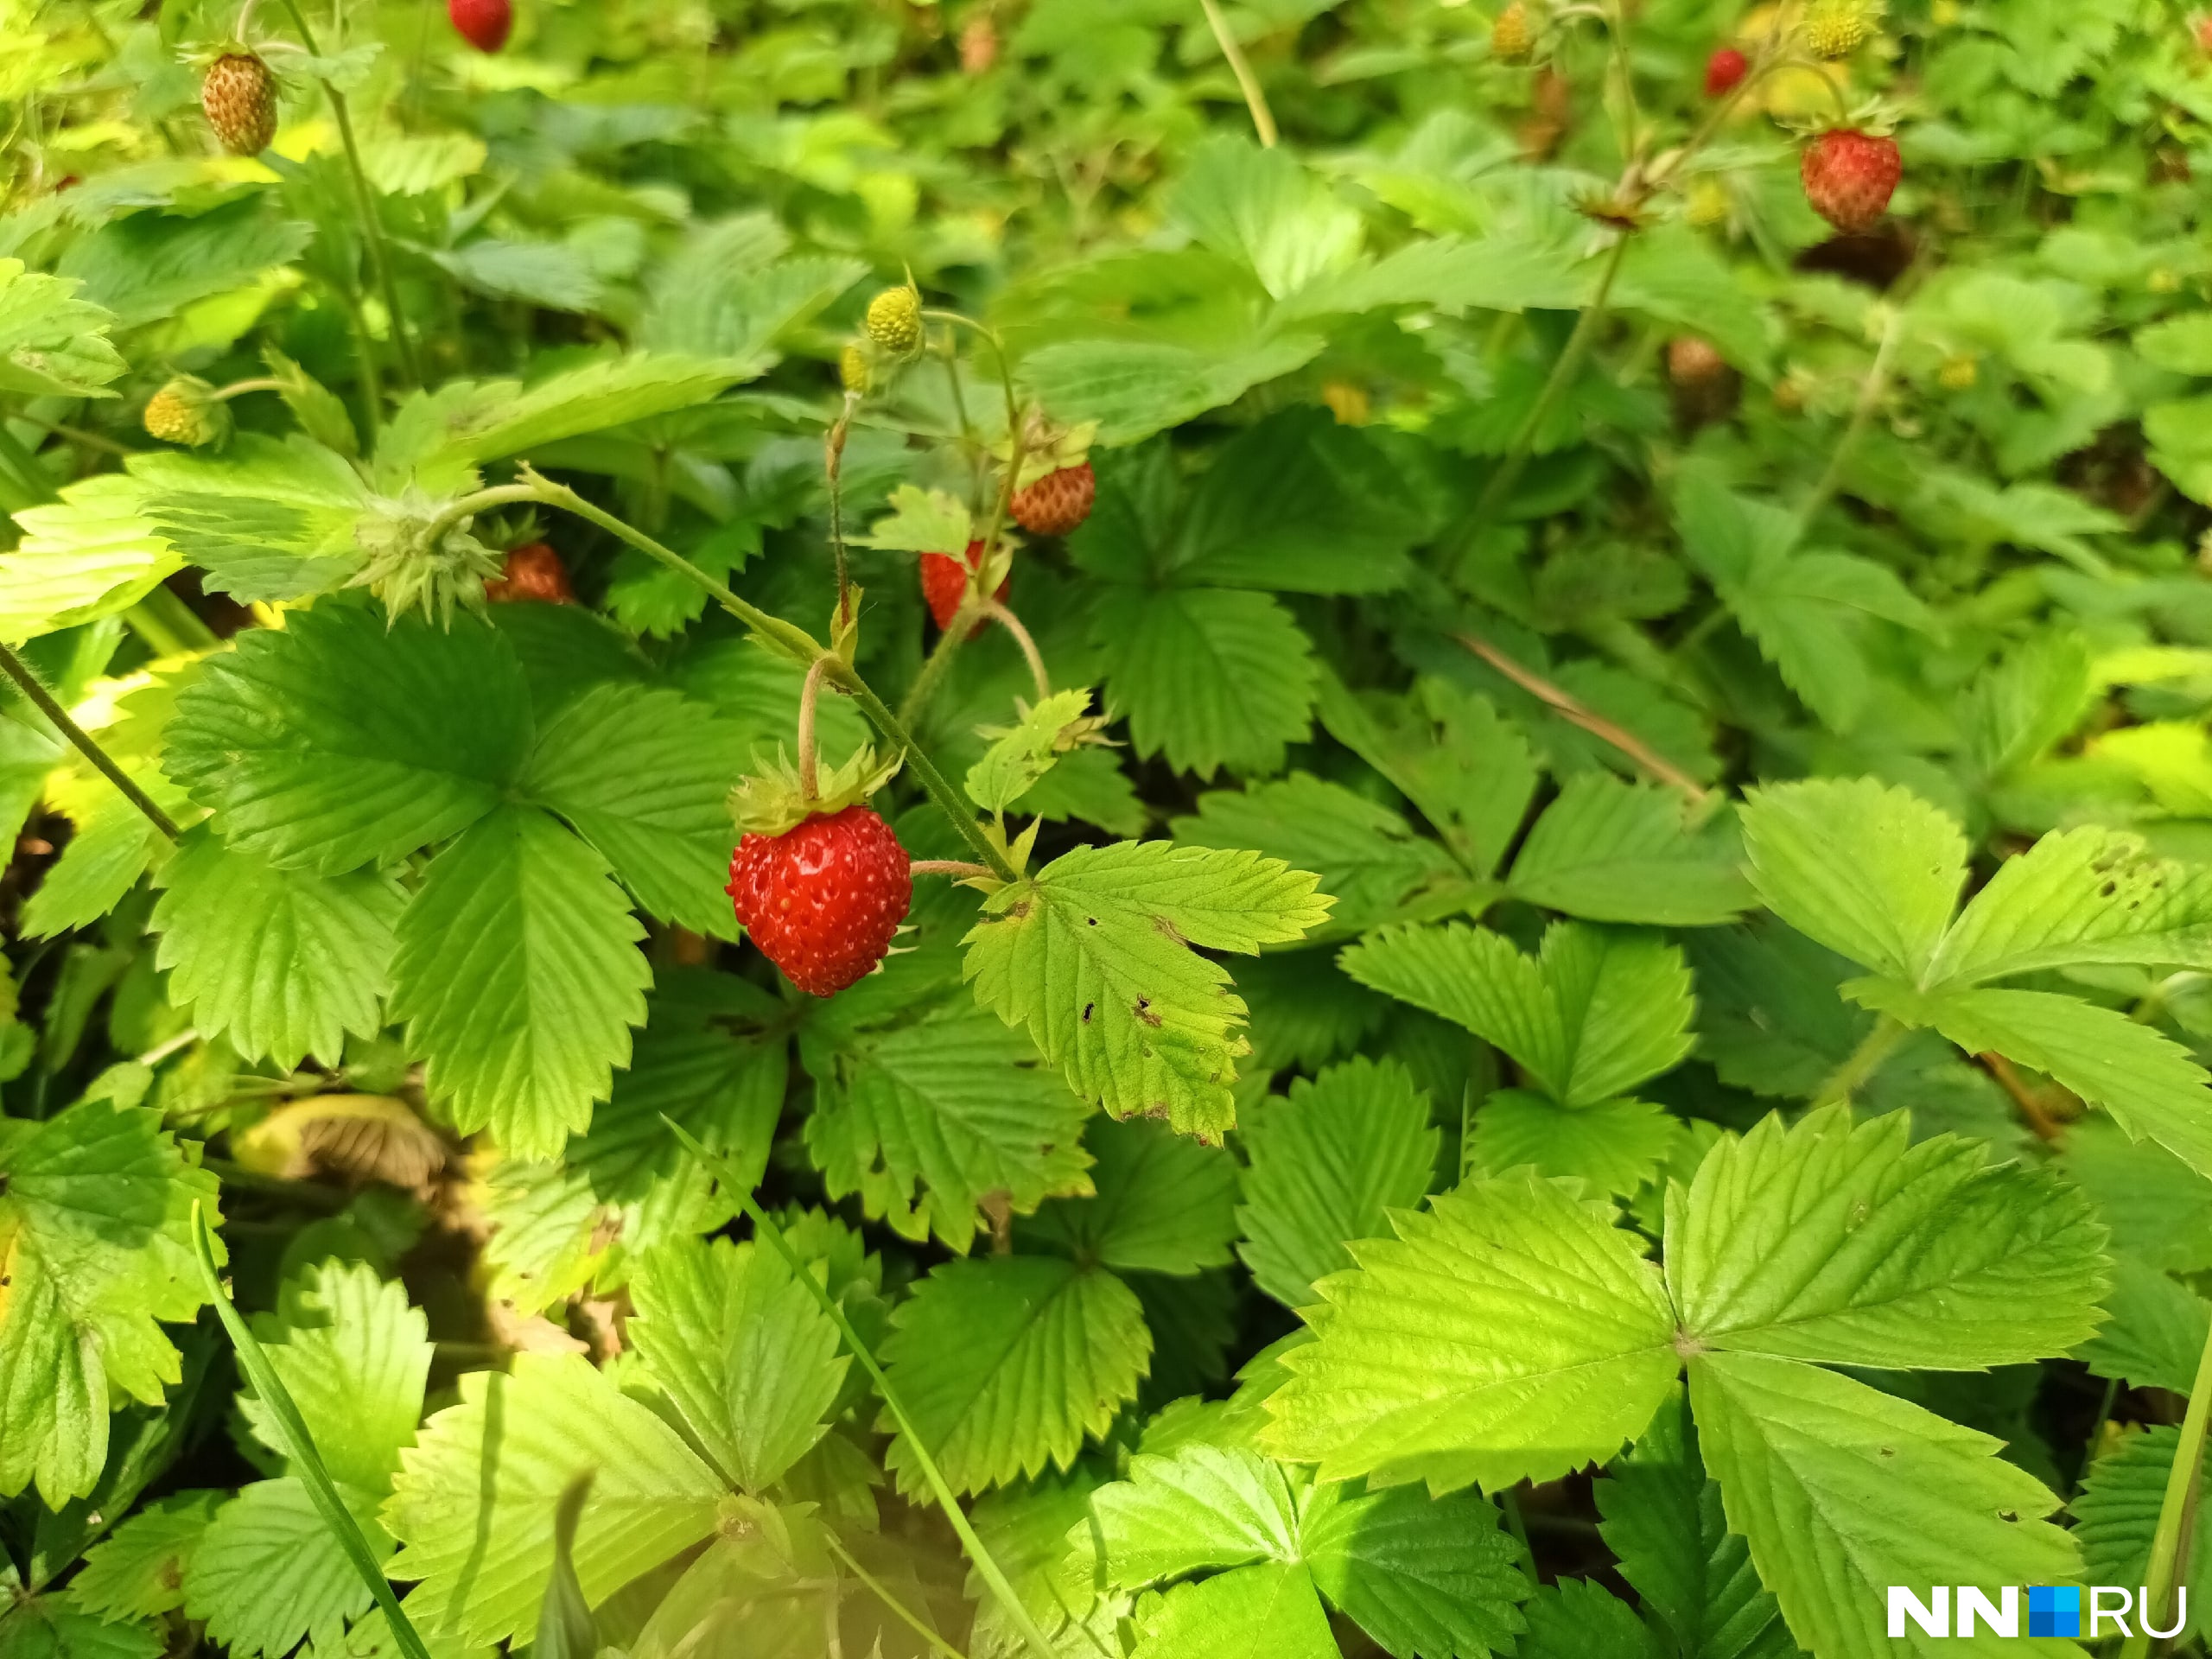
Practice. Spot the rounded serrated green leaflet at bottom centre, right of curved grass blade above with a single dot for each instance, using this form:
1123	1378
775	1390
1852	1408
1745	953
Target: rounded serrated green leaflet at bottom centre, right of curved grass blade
1005	1366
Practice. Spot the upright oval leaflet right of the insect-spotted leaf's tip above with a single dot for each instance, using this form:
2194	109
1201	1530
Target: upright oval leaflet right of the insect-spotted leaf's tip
1326	1165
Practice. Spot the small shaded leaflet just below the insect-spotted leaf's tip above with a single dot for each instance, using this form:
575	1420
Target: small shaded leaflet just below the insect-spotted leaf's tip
1162	1202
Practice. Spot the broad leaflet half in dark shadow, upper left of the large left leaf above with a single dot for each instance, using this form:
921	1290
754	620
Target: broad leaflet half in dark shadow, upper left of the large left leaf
340	740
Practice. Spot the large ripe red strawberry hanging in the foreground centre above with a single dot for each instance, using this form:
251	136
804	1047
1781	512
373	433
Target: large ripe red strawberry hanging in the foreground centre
824	899
